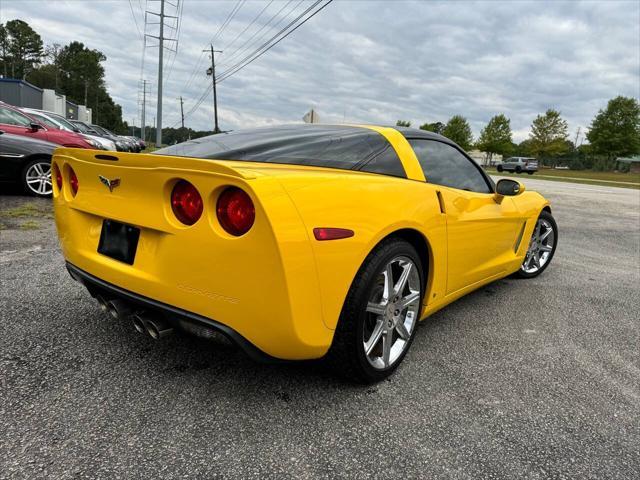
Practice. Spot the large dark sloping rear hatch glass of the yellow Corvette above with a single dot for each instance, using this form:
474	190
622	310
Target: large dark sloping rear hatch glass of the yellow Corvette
346	148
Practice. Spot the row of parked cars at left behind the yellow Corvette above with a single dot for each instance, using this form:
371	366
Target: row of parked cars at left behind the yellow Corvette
29	136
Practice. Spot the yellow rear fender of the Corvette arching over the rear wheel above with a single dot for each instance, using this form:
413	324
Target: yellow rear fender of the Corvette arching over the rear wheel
360	202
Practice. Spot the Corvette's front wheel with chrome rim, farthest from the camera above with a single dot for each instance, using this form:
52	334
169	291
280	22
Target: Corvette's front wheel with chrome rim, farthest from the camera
542	246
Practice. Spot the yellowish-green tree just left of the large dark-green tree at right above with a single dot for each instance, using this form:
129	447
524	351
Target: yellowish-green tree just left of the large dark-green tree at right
549	135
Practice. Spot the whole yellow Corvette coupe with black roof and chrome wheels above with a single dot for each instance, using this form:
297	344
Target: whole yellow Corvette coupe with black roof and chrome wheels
296	242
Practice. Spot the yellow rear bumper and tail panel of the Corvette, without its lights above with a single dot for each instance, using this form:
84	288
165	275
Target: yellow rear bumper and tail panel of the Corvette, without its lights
262	285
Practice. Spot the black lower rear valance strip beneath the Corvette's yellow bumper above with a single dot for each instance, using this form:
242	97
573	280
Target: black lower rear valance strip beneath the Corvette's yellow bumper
177	317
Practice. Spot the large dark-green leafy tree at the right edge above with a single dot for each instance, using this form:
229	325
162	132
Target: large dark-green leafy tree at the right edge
615	131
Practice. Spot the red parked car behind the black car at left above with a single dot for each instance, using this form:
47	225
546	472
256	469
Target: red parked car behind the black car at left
14	121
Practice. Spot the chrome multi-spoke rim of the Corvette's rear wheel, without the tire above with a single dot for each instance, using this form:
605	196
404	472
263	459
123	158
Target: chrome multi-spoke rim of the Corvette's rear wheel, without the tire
392	312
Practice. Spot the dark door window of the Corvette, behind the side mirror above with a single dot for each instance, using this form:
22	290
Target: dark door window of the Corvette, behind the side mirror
445	165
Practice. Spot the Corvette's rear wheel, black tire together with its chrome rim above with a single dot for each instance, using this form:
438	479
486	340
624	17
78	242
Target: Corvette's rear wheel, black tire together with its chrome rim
380	314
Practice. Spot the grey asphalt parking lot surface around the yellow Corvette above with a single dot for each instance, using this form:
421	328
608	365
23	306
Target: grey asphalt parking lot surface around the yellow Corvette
522	379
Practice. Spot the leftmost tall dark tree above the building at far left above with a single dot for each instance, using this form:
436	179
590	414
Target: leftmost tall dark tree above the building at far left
24	48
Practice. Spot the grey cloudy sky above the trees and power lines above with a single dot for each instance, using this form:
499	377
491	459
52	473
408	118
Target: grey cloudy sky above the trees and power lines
369	61
